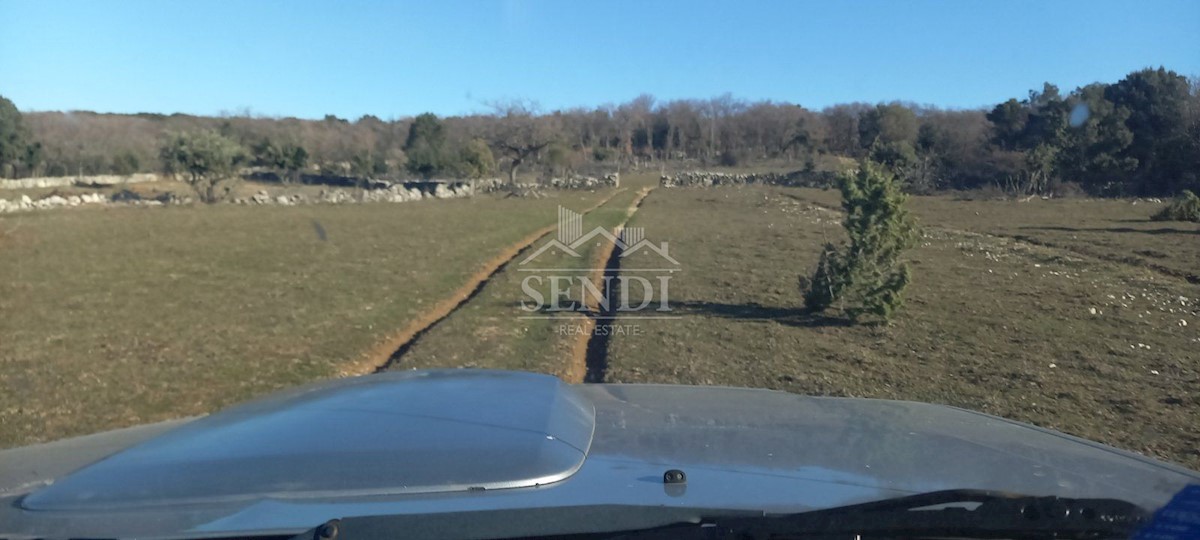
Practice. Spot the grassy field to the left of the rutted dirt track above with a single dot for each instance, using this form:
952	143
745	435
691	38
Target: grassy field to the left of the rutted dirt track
113	317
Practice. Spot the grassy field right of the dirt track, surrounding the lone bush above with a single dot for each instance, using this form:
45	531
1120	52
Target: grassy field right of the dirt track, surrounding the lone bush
1046	335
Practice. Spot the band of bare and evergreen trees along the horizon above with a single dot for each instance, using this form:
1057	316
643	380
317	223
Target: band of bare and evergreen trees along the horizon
1138	136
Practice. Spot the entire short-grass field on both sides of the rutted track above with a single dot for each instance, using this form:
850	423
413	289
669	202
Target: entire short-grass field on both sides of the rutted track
1075	315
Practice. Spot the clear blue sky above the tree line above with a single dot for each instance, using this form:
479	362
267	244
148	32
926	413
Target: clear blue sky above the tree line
309	59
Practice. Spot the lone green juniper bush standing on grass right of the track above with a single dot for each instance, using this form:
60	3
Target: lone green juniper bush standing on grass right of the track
866	277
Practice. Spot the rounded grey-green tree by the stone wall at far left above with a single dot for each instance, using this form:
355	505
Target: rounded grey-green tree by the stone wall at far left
207	160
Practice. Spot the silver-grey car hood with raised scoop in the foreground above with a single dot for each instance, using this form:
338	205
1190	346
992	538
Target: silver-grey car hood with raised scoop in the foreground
425	442
